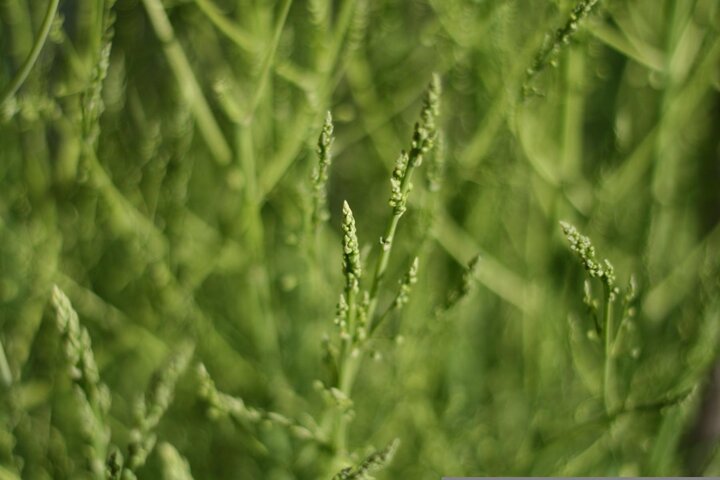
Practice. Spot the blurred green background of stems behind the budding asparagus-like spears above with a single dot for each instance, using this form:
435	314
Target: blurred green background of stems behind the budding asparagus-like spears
155	164
